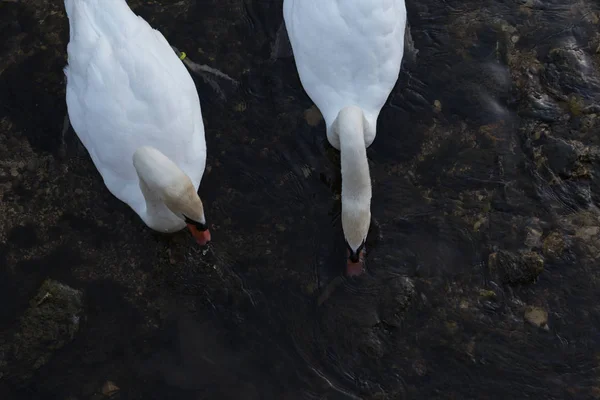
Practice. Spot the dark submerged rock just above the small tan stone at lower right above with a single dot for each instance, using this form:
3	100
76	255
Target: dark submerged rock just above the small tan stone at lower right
515	268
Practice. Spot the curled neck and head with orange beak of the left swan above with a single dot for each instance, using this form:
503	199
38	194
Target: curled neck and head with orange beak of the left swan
162	179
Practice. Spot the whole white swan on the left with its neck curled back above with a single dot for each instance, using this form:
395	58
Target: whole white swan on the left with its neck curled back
136	110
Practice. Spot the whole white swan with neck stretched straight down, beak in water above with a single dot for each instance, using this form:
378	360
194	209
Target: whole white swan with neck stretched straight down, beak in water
348	55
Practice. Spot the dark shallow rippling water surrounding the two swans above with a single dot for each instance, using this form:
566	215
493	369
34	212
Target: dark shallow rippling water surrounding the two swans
483	265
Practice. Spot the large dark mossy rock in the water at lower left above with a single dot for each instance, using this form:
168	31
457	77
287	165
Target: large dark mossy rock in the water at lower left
49	324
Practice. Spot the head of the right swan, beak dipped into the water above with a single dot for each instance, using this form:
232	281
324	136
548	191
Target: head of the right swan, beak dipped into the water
356	220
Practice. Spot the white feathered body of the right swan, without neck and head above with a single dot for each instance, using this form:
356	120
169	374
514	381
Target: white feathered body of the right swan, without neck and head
347	52
